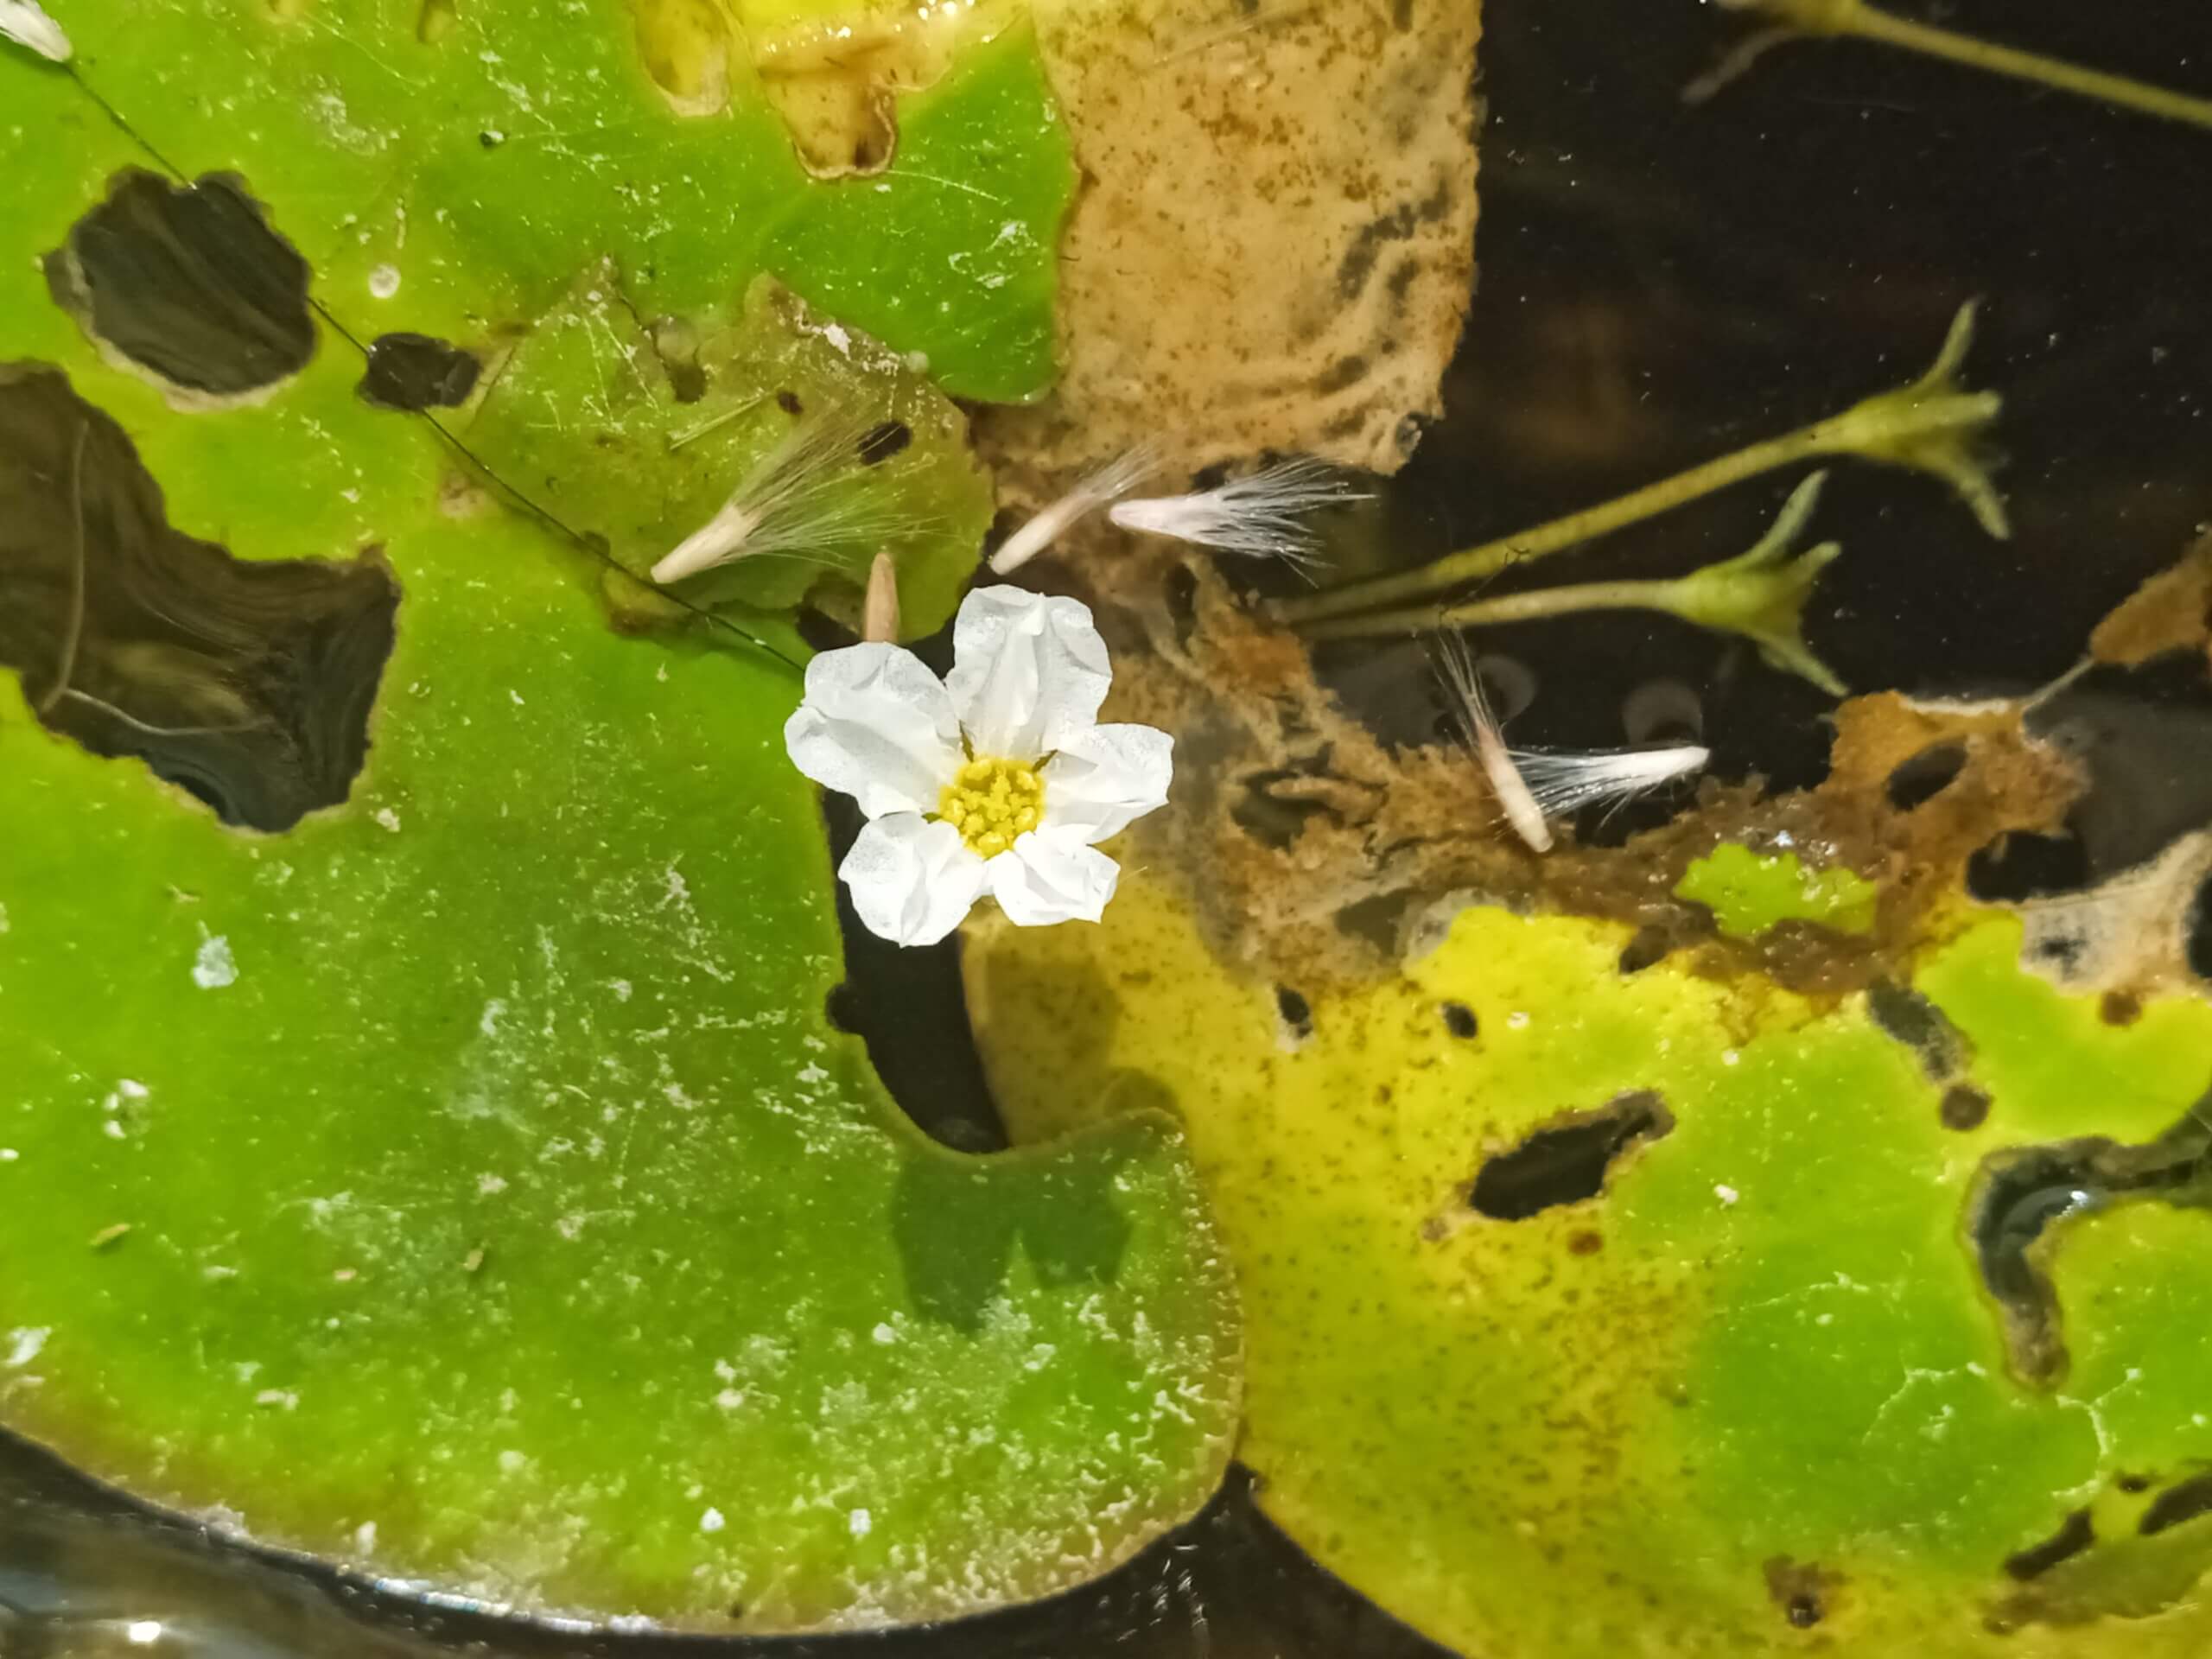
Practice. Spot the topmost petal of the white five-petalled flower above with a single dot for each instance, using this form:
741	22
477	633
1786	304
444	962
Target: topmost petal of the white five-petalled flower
1030	671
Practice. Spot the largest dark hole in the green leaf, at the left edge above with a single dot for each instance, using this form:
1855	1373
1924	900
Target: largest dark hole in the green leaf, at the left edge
247	682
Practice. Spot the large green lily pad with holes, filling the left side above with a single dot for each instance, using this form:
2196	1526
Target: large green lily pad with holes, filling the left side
426	1140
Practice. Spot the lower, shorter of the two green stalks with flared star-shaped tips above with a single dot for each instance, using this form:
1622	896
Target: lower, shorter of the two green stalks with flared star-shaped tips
1760	596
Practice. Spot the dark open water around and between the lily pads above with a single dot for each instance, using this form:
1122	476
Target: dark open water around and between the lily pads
1660	284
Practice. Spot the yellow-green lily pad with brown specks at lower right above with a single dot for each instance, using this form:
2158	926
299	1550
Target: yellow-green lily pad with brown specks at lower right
1731	1339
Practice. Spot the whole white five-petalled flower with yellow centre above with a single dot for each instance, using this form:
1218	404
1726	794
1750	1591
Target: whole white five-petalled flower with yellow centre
997	780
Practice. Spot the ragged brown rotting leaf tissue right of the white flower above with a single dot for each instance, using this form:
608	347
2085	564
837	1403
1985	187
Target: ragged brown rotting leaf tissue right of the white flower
1364	842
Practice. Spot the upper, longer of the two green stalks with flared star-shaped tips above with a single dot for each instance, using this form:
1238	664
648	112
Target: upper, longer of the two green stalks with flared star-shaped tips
1932	426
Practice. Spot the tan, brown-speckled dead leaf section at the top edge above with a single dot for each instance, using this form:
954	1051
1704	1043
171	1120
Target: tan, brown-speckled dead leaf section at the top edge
1273	247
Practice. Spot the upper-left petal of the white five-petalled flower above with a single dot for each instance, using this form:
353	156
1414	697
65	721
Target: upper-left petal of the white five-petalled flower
877	727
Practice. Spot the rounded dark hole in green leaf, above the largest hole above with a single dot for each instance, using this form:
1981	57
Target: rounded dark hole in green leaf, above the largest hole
191	286
